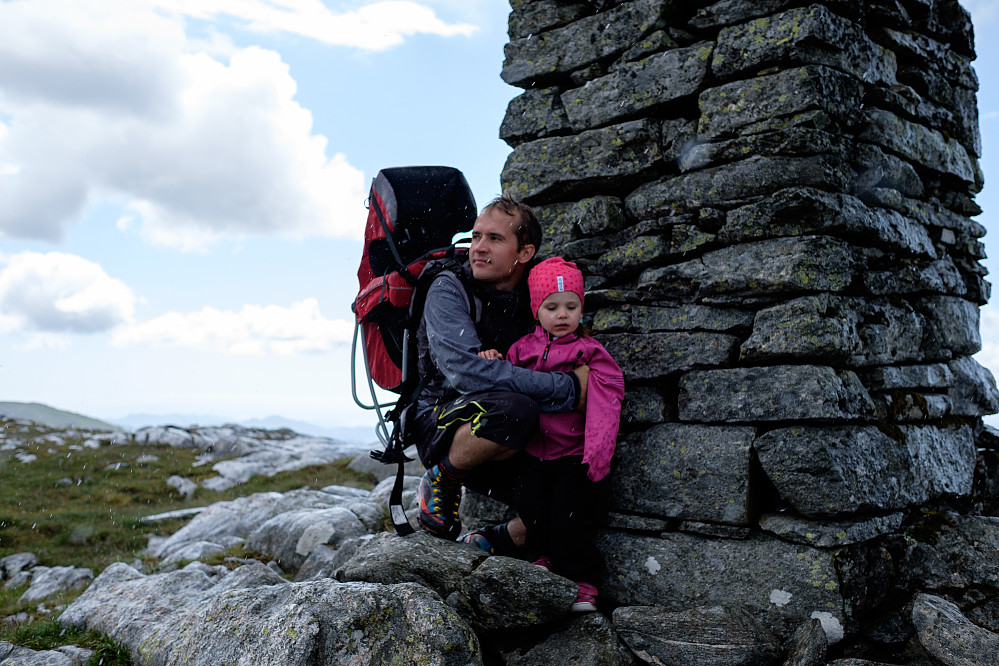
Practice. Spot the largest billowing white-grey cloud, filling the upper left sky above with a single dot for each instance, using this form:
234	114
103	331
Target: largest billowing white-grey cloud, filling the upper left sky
105	100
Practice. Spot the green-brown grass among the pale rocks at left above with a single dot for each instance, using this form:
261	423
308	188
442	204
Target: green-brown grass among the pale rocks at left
77	506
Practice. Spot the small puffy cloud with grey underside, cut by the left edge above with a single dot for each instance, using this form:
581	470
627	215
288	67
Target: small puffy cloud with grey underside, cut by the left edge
42	295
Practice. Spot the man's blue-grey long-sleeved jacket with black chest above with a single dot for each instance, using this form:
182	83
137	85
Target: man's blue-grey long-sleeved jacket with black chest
449	341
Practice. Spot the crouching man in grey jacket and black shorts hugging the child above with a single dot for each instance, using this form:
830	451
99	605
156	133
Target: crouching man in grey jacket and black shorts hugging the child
476	414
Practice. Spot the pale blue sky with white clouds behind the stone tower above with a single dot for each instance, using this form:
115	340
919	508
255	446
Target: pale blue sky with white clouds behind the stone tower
182	188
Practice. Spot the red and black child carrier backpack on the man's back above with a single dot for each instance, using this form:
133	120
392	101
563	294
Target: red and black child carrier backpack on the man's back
413	215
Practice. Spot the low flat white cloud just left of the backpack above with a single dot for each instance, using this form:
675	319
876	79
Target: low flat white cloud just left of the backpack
255	329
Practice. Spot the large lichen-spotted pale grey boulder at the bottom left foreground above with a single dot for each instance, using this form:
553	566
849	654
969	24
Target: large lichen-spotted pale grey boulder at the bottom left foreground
182	617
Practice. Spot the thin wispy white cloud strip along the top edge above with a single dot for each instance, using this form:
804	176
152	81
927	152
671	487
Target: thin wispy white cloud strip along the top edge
375	26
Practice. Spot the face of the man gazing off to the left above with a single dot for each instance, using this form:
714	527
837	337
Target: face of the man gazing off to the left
494	254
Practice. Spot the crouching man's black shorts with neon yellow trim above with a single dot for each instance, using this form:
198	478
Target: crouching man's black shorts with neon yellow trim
506	418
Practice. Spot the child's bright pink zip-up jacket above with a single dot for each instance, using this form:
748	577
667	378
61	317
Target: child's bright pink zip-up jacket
570	433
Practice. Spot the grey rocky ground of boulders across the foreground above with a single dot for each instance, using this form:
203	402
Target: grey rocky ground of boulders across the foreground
337	588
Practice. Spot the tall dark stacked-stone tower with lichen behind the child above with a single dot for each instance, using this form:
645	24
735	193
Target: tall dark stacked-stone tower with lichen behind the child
772	204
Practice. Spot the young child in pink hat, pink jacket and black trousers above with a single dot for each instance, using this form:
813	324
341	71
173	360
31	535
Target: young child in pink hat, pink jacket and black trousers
560	494
